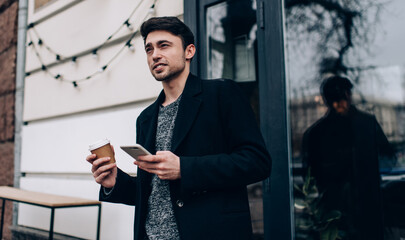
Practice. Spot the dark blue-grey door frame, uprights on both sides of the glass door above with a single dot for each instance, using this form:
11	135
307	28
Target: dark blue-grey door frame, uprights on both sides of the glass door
277	194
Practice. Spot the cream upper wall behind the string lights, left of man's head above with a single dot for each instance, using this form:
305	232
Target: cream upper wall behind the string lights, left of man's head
82	27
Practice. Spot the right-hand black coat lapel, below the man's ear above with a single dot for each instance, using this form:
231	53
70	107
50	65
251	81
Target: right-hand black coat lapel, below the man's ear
188	109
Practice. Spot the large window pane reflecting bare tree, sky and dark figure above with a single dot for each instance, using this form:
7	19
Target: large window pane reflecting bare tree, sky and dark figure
353	170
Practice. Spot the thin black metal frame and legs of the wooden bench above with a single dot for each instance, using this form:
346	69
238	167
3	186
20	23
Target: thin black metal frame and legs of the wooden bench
52	220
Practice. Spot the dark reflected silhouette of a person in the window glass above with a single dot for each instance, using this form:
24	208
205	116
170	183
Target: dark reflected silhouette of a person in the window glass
342	150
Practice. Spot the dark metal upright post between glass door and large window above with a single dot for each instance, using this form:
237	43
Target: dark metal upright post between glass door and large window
278	203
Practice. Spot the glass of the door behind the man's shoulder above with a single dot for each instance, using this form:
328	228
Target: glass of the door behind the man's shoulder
229	50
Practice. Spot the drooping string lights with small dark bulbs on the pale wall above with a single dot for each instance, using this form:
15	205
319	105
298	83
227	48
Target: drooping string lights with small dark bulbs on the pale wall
59	58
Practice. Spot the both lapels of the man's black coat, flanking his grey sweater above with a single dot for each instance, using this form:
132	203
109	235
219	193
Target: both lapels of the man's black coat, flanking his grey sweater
188	109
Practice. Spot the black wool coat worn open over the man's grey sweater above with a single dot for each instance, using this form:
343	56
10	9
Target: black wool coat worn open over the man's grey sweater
221	151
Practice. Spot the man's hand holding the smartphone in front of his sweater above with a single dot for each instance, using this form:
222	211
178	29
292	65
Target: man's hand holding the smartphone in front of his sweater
164	164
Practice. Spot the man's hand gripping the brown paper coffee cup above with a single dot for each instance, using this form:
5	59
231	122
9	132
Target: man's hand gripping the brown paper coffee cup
103	172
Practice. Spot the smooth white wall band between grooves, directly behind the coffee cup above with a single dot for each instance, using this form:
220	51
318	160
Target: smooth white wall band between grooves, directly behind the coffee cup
60	145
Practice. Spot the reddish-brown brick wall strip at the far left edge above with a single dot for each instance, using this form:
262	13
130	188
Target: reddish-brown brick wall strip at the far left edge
8	52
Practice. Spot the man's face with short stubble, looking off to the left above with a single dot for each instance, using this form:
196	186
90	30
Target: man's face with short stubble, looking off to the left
165	54
